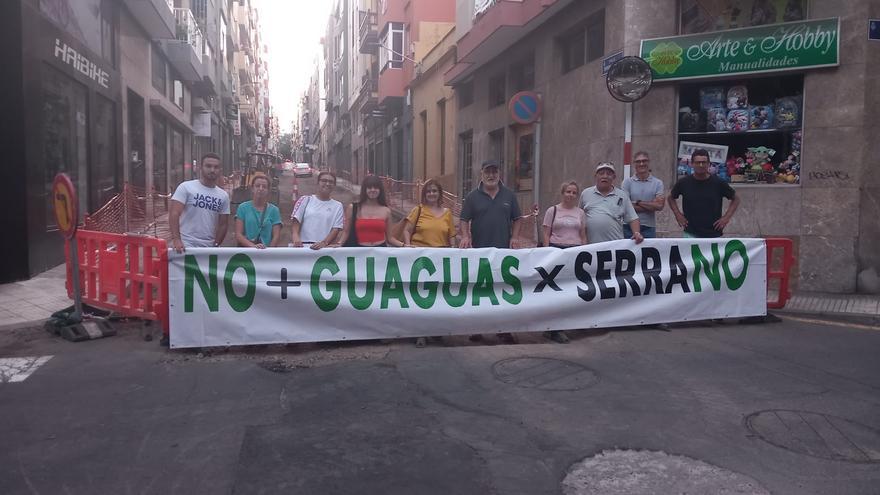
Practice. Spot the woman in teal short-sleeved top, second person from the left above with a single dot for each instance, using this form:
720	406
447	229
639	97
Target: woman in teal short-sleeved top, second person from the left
258	222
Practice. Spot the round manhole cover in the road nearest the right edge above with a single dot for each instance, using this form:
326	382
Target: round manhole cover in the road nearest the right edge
817	435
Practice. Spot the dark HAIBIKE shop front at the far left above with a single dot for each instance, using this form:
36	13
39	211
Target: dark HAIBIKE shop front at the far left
69	115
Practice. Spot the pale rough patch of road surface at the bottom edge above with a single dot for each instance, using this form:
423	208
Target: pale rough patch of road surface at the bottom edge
630	472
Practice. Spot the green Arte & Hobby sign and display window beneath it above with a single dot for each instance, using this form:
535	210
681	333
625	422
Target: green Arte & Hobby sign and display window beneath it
741	95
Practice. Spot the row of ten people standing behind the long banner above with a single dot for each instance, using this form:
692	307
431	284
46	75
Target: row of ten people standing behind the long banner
490	215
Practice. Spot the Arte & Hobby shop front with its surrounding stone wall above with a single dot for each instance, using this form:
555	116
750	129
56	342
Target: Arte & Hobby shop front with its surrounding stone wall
778	92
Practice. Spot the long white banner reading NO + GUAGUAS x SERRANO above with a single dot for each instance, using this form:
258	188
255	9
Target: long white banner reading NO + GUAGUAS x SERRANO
226	296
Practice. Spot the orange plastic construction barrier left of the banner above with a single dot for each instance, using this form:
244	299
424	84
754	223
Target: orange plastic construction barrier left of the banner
123	273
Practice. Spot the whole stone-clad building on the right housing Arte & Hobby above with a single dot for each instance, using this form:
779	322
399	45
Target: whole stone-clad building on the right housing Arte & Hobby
557	48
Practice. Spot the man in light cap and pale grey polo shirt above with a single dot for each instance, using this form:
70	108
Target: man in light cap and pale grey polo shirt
608	208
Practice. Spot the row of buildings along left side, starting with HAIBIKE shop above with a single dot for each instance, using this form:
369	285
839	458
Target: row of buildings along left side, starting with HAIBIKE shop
115	92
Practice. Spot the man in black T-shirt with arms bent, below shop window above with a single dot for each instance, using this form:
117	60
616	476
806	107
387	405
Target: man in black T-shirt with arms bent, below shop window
702	197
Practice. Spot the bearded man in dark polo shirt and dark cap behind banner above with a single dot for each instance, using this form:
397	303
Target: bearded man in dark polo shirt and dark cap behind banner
490	215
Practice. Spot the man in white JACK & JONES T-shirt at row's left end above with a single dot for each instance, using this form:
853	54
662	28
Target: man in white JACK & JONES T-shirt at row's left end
199	209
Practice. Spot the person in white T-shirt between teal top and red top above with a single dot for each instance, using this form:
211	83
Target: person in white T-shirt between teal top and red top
317	219
